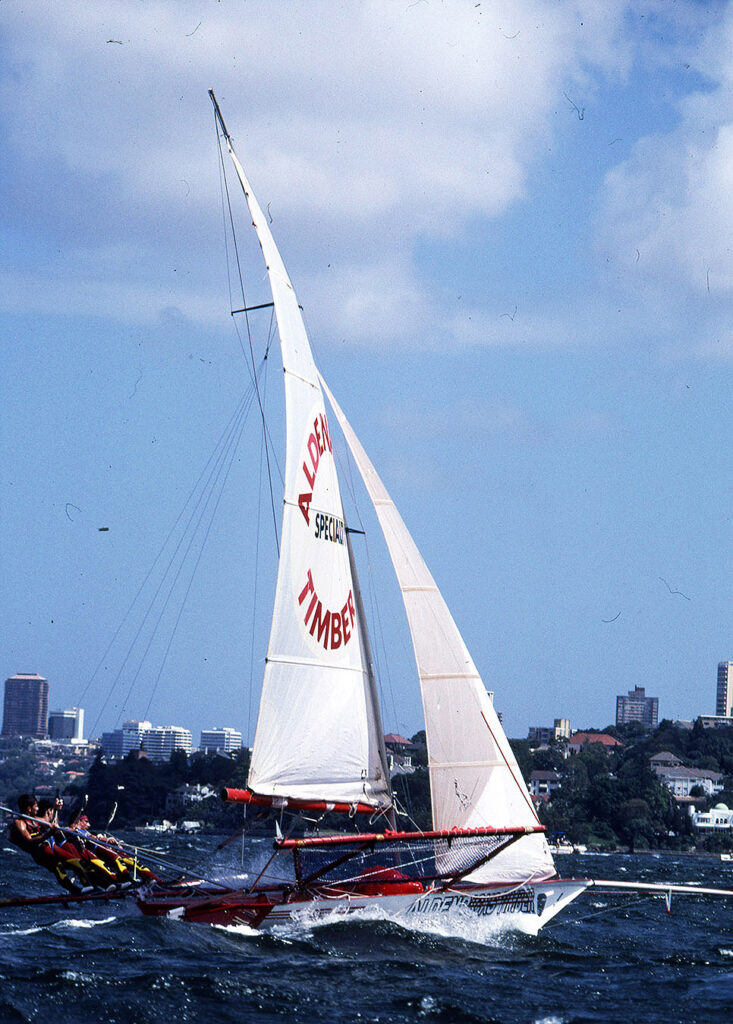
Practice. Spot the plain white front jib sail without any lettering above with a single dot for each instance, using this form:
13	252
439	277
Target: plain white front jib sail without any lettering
475	777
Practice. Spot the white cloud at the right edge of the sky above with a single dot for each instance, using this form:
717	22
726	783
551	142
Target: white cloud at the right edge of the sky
669	209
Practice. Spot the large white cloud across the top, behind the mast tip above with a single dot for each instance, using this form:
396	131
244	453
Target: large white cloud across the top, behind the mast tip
376	100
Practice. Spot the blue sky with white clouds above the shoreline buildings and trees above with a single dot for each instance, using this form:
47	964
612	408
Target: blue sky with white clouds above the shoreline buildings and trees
510	228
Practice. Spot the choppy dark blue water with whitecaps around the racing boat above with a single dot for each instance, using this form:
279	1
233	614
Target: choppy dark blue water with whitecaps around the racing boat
603	960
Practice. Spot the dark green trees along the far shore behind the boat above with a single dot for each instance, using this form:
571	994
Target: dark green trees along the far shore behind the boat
606	800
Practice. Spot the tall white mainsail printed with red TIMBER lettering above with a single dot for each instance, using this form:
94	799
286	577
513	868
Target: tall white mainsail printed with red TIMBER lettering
319	734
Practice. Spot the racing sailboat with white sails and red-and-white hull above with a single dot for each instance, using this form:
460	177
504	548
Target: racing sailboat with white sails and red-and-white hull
320	744
